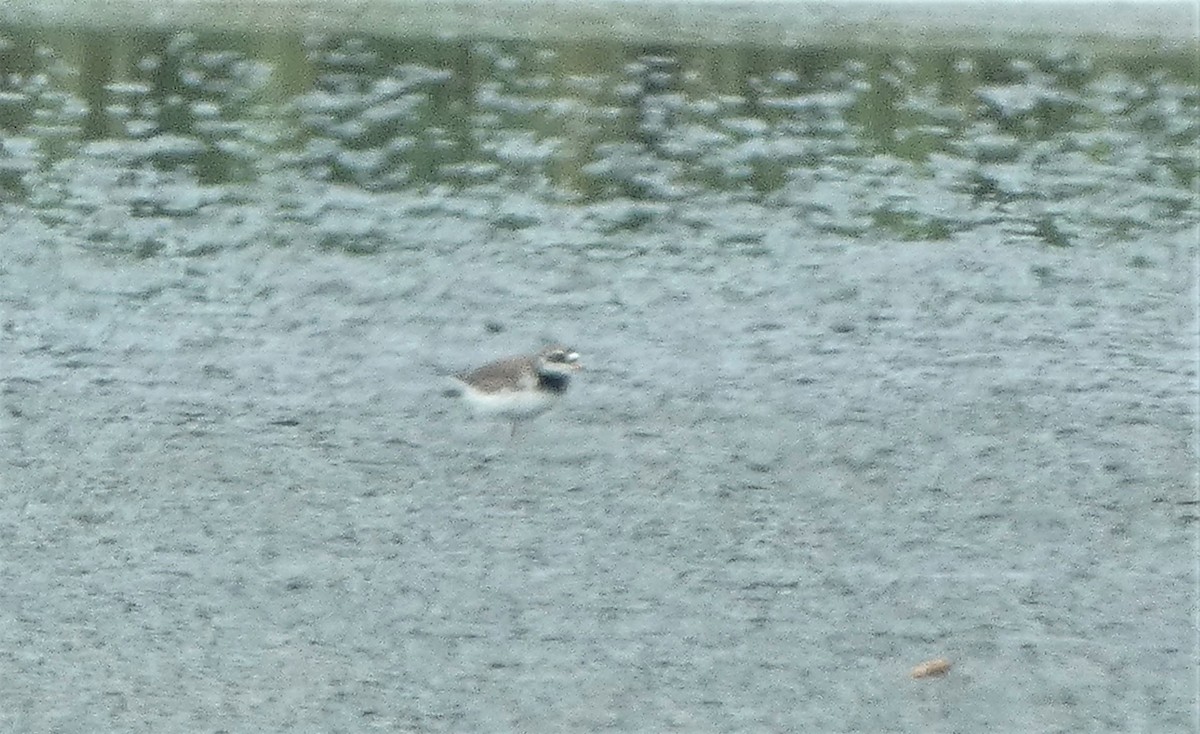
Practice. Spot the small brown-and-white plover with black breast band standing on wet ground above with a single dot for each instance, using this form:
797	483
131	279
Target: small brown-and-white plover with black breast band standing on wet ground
521	388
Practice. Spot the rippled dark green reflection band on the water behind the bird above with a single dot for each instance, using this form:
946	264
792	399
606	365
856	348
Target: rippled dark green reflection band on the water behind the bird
593	121
